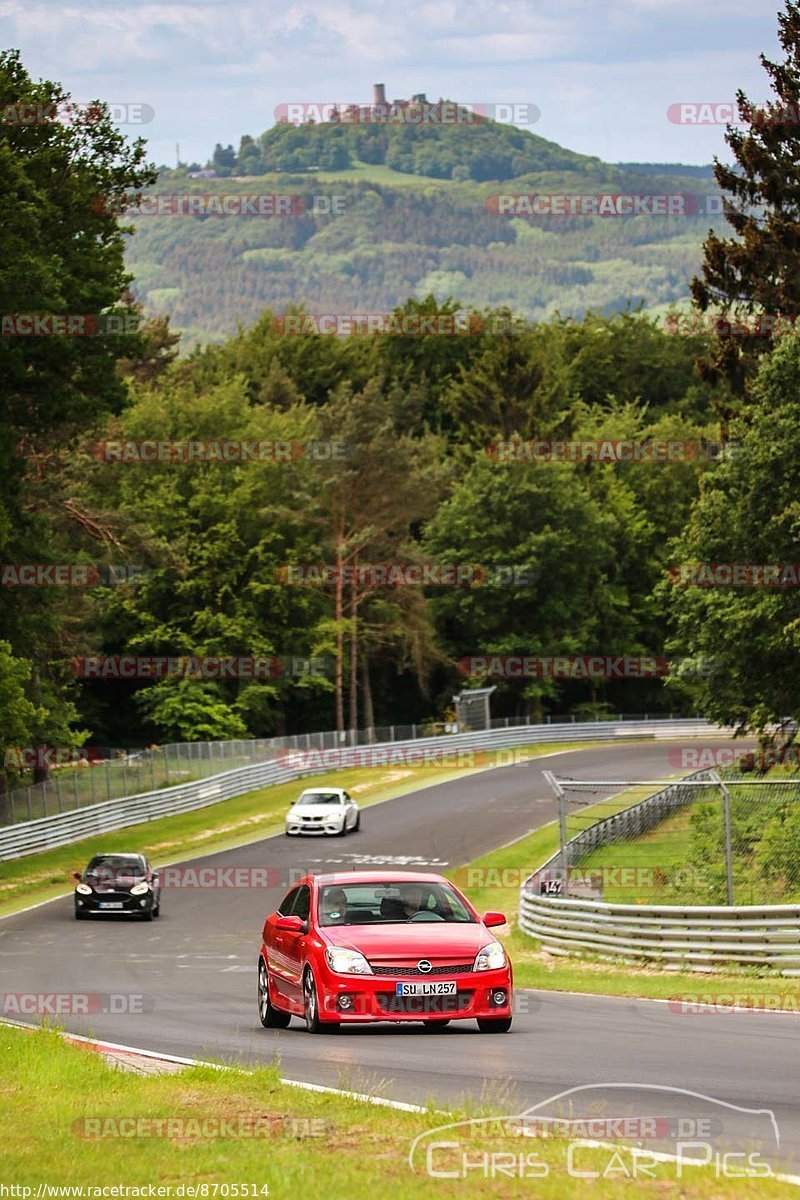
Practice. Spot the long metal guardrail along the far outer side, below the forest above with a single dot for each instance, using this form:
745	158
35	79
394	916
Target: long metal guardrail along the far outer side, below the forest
67	827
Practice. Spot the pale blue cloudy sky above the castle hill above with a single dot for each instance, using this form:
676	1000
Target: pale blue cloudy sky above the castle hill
603	76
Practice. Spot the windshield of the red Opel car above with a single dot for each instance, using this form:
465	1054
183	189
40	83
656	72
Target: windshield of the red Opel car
392	903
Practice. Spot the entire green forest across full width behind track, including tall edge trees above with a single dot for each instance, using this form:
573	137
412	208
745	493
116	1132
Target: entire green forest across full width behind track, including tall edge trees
374	451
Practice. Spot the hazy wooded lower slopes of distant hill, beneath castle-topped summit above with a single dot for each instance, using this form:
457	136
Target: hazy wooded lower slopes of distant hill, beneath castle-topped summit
372	239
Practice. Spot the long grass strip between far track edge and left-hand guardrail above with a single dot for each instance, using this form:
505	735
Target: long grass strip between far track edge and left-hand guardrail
225	826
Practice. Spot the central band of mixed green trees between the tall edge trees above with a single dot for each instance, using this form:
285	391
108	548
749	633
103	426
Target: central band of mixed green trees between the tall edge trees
215	539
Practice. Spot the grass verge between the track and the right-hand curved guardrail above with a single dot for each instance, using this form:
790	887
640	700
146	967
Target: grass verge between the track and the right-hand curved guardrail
494	883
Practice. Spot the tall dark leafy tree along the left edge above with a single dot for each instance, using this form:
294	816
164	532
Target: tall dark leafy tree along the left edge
58	255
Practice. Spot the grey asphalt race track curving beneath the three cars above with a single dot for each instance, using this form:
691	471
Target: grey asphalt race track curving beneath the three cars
196	969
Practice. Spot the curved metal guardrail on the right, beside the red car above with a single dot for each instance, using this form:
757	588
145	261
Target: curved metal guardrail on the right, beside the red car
689	937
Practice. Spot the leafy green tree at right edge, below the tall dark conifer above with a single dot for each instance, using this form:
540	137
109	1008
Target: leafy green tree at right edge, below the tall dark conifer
749	513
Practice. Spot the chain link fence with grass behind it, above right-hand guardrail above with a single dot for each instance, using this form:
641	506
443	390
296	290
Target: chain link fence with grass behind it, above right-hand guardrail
718	838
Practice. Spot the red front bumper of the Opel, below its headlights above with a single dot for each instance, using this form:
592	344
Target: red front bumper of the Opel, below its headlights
479	994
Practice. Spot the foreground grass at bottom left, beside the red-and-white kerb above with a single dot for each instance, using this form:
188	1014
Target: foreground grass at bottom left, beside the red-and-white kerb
311	1145
